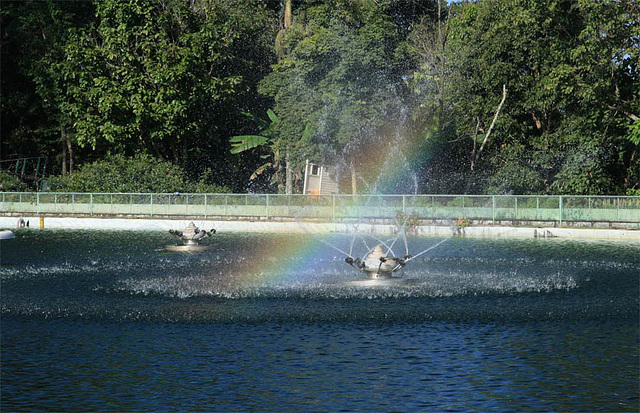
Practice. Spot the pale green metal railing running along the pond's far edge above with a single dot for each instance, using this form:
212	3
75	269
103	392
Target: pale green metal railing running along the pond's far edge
329	207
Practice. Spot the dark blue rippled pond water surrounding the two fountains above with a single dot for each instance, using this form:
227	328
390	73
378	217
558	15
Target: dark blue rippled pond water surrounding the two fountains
109	321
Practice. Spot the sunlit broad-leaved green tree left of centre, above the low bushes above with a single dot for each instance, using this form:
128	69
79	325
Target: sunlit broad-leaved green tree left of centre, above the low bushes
162	72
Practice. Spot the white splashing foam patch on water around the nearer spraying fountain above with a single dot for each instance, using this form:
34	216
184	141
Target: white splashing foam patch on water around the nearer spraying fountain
343	286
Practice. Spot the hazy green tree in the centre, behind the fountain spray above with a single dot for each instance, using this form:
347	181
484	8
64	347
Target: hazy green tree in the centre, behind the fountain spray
341	78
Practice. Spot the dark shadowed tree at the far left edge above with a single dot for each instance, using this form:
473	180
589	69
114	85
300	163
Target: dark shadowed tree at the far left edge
34	77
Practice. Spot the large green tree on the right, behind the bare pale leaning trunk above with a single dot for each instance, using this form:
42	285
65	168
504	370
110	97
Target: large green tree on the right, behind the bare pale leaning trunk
568	70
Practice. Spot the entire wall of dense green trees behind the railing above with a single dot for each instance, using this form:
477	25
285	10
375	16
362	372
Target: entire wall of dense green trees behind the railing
489	96
